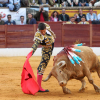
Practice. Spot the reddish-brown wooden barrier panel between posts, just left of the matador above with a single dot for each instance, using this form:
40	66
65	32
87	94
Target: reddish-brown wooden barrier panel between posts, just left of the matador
20	36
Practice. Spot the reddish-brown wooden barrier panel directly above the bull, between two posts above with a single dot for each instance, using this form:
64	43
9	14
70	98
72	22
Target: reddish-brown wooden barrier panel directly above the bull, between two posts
76	33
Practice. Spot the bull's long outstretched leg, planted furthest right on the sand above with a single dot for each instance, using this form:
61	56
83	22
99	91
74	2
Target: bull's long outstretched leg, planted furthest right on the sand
88	74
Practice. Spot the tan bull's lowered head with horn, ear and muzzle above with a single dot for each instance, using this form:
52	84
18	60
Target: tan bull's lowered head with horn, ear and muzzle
59	73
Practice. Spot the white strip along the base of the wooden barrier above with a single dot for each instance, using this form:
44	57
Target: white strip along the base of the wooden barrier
8	52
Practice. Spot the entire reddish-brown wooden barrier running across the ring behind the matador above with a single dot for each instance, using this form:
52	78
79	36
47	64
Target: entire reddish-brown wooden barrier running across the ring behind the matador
21	36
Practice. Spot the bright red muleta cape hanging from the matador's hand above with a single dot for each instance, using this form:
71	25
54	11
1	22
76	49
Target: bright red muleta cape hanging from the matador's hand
28	81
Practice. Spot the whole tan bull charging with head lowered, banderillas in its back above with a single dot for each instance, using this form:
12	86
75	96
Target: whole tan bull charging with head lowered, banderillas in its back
63	70
